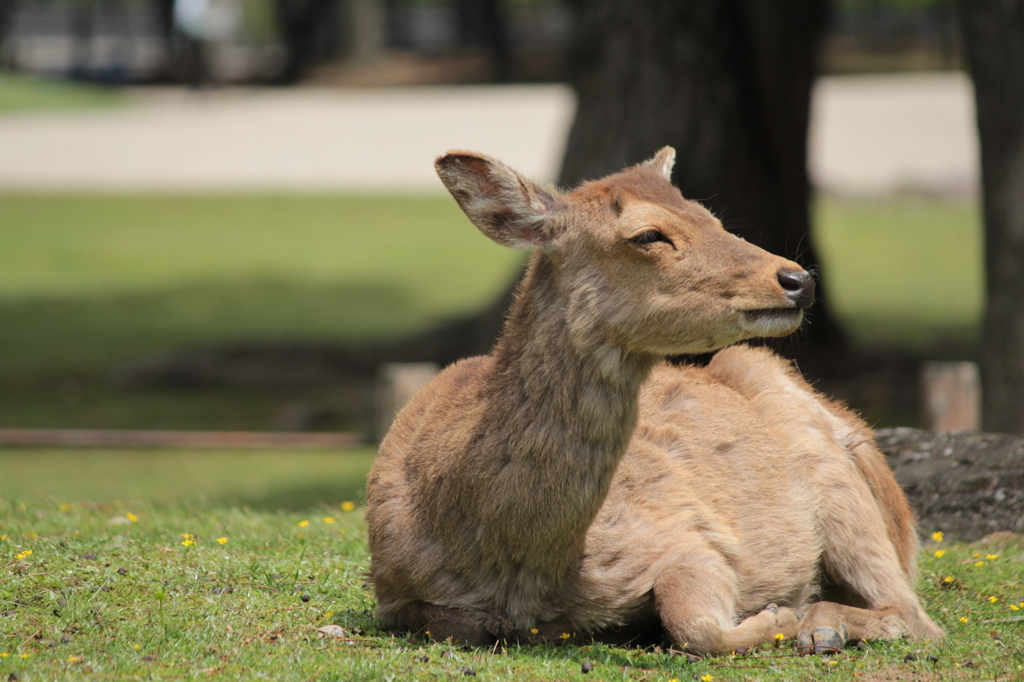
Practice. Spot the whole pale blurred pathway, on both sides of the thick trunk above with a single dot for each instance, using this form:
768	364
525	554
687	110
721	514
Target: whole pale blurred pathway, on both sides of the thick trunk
870	135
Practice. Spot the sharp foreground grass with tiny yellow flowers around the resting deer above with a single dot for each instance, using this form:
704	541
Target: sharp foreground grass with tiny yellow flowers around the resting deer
98	586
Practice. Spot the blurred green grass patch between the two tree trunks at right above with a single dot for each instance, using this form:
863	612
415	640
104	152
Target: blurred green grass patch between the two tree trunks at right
906	272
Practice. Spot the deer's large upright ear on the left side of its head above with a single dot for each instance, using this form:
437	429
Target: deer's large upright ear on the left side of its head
505	206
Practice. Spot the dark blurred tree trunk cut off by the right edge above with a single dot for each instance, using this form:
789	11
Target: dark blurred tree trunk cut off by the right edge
994	37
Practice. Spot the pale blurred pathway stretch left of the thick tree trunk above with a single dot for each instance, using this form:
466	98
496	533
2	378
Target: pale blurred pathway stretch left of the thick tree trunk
372	141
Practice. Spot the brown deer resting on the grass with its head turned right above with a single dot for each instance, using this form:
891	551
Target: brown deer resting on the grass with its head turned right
572	482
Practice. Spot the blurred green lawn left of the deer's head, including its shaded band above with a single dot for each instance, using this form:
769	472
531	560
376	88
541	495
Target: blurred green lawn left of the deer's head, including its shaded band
89	281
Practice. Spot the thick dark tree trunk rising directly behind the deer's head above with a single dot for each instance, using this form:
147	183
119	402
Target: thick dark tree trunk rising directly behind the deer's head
729	84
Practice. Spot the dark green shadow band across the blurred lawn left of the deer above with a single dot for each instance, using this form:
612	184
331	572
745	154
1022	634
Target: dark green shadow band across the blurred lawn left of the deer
55	334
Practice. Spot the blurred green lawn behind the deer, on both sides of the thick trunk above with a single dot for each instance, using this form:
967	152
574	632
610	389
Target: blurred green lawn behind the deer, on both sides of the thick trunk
92	282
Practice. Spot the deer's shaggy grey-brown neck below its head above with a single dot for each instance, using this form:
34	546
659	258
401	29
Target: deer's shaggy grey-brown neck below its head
563	407
